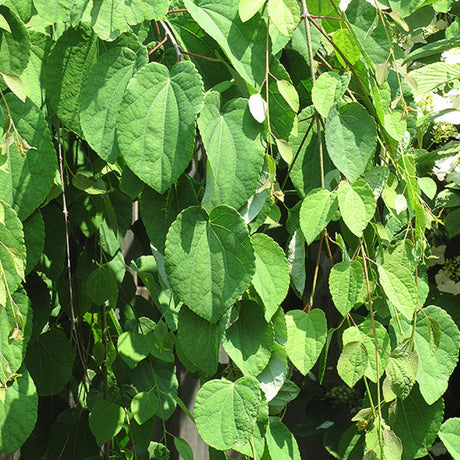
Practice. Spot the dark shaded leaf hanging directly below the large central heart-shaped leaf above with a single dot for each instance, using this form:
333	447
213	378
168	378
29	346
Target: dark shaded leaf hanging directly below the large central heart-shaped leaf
198	341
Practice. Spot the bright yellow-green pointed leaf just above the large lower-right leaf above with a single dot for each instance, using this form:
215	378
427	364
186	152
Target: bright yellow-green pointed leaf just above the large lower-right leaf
399	286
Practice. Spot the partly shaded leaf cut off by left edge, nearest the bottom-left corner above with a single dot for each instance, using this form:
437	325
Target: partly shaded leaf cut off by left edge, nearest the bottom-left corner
18	412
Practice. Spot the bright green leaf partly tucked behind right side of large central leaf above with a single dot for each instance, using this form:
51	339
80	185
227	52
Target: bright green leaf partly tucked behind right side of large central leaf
271	278
